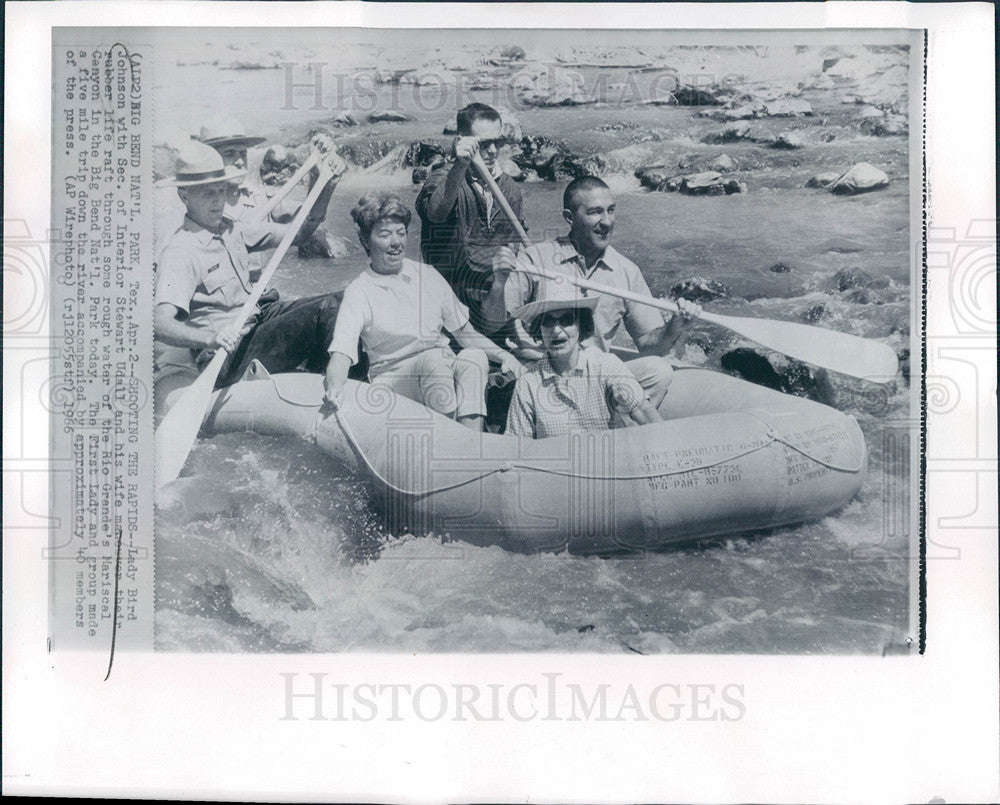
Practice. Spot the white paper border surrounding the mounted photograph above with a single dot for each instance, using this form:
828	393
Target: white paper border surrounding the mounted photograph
817	729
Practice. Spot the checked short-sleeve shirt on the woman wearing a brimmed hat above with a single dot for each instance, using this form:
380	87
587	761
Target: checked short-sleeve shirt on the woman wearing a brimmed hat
546	404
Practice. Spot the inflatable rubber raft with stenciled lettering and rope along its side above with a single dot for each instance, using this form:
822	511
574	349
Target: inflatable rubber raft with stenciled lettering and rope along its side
733	456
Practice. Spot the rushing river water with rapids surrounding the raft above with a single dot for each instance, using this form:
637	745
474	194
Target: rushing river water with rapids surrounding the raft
276	548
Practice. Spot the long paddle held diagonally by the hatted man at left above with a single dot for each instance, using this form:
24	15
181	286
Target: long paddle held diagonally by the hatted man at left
177	432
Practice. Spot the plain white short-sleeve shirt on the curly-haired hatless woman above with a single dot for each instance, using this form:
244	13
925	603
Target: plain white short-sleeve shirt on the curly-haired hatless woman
396	315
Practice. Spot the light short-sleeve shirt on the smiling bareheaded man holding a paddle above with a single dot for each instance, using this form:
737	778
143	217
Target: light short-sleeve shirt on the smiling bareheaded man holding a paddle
613	269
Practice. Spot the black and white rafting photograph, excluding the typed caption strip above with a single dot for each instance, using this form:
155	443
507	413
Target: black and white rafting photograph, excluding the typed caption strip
653	300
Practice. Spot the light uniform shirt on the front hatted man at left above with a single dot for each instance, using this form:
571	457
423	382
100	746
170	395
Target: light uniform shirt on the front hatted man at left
208	275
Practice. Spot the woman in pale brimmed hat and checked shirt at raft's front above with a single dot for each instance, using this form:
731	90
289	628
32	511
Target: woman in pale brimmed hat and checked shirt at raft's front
573	387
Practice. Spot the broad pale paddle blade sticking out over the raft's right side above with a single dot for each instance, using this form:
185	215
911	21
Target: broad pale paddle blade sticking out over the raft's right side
840	352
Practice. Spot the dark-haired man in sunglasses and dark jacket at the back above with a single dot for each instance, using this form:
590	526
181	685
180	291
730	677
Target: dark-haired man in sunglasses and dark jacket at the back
462	225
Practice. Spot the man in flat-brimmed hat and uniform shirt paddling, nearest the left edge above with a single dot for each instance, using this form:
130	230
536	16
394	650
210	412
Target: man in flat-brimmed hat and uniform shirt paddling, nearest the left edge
204	277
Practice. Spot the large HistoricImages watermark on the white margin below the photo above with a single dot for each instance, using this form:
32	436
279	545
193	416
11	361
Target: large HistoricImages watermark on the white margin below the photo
320	696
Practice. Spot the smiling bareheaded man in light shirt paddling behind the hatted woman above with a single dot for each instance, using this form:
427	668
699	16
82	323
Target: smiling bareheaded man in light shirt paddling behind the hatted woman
586	252
